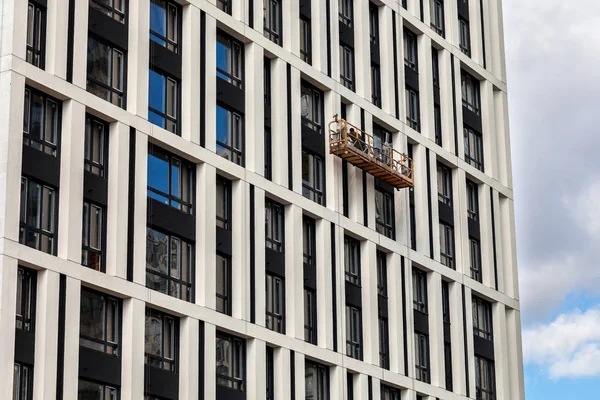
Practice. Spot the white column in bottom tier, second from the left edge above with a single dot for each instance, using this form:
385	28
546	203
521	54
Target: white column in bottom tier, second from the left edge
46	334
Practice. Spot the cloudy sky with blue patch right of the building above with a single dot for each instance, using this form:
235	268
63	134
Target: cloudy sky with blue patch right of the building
553	60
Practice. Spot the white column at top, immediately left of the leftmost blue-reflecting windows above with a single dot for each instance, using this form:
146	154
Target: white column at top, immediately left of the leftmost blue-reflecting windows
138	56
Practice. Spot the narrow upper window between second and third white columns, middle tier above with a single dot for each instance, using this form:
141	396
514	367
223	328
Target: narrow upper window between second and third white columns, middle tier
96	146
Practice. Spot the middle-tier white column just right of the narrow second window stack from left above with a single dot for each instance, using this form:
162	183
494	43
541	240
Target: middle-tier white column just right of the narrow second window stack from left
118	201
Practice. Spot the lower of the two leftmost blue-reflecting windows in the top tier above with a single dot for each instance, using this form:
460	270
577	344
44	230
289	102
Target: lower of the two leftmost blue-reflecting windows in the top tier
163	101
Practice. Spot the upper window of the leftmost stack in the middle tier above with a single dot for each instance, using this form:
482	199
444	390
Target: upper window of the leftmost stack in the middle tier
41	122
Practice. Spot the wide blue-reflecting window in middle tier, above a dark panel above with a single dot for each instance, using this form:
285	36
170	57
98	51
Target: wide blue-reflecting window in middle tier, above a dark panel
170	179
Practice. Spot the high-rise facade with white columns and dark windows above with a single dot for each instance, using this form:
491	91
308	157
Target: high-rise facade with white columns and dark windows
174	223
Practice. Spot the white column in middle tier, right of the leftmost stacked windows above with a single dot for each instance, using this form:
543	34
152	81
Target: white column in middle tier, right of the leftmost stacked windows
70	206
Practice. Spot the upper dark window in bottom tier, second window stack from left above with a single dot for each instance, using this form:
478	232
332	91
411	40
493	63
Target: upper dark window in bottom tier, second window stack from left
99	322
